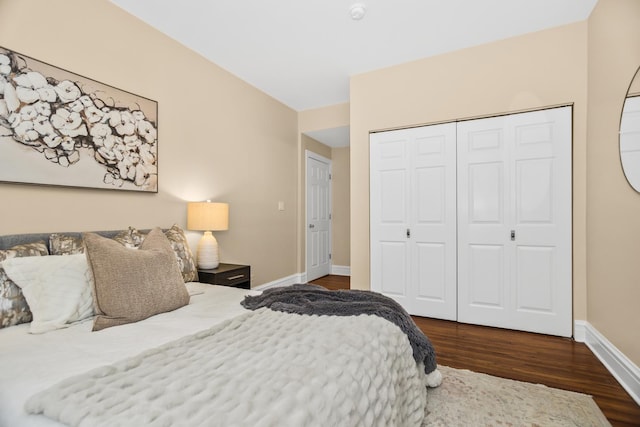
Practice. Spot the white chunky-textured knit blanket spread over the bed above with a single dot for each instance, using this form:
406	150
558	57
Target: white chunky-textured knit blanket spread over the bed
263	368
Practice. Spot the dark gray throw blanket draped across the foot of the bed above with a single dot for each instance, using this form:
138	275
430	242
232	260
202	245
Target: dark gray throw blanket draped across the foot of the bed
313	299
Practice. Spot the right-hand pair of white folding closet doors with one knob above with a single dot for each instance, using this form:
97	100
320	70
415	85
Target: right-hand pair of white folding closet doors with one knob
514	221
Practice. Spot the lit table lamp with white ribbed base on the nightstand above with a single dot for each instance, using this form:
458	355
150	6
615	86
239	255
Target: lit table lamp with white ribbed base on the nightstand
207	217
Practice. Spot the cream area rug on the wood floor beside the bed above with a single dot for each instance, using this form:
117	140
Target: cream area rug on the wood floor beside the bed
468	398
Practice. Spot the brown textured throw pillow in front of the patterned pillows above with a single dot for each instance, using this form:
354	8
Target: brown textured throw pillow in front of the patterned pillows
134	284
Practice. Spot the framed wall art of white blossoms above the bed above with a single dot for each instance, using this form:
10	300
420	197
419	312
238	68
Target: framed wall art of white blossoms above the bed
60	128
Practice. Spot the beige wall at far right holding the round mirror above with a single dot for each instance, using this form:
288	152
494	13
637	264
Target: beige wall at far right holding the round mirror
613	208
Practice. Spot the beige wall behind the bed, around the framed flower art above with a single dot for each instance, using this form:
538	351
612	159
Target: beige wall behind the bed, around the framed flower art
219	138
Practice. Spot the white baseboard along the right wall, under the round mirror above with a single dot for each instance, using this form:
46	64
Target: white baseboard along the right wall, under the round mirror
621	367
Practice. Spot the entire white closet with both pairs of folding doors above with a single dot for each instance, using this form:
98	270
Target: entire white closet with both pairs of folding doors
471	220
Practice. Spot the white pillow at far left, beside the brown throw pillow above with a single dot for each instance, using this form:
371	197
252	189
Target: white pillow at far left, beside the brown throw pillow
58	289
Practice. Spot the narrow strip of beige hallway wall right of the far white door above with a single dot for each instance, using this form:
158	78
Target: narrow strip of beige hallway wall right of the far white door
340	190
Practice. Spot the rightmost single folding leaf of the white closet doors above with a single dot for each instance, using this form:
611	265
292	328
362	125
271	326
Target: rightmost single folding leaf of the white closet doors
541	216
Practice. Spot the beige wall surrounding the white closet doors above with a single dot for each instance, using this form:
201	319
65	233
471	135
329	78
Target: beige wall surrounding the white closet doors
528	72
